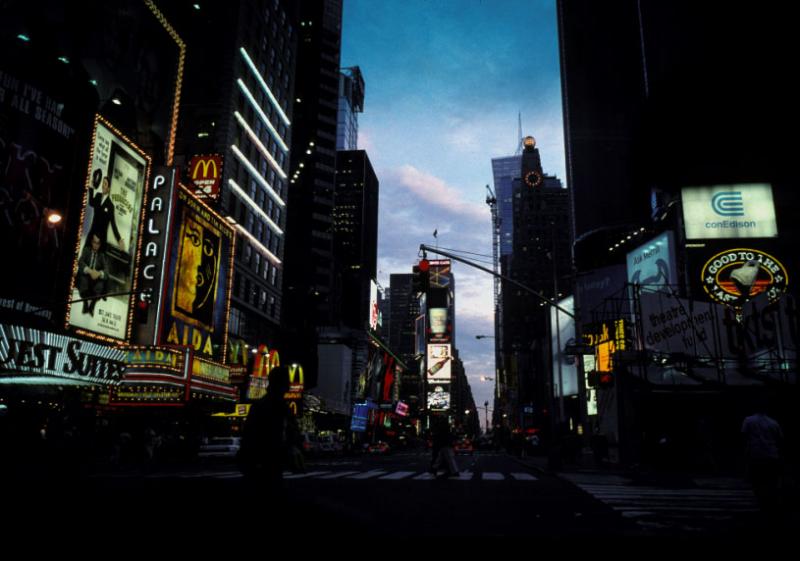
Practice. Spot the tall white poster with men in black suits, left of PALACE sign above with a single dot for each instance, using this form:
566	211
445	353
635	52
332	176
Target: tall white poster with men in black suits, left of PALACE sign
103	276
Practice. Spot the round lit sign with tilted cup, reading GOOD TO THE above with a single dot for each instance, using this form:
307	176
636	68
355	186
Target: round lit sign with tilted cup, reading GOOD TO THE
735	276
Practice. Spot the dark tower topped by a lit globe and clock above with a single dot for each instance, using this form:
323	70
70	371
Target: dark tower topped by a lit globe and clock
541	259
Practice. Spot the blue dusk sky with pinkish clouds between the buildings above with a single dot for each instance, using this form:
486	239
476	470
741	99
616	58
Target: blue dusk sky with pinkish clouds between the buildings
445	82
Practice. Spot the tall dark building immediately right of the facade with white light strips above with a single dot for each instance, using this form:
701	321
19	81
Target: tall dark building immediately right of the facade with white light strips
310	284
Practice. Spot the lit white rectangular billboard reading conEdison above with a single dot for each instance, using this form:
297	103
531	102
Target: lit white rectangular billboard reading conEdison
729	211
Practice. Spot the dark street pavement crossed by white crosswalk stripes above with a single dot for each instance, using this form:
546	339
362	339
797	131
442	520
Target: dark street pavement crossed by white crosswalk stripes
494	495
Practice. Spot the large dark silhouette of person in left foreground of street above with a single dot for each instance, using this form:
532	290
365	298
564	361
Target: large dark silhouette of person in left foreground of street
268	435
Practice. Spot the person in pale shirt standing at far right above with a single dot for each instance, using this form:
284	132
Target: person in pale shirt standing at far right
763	440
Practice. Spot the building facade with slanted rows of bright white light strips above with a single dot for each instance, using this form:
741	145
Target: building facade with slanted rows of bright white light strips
242	111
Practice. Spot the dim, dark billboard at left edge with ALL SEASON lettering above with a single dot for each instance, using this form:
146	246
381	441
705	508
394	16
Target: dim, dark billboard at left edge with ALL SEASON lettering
38	143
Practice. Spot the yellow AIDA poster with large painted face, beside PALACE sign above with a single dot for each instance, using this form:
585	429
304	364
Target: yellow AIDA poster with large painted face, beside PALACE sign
197	299
